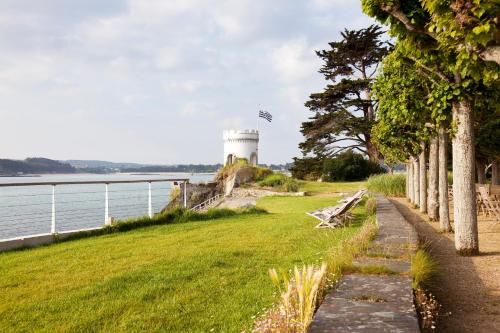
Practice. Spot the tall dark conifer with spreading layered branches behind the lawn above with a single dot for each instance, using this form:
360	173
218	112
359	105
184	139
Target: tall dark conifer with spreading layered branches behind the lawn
344	111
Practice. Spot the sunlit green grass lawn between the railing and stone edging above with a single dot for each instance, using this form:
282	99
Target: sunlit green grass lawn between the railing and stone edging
185	277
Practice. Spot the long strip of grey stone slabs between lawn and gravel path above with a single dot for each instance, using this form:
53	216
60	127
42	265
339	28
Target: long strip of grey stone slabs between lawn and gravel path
375	303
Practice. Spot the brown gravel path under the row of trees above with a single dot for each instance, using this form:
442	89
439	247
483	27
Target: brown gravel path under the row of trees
467	287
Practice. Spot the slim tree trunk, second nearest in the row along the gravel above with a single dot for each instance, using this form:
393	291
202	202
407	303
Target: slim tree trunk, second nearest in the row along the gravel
444	214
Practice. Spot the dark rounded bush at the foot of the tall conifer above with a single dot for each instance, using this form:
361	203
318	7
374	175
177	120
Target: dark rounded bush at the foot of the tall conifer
349	166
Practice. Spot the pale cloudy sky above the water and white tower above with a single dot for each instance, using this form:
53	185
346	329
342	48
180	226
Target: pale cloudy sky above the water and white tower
157	81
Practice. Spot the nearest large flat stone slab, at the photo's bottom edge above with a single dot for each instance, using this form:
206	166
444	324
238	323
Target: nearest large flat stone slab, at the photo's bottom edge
368	303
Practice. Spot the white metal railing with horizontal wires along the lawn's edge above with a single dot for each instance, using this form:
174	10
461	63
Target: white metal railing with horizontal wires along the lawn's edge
24	203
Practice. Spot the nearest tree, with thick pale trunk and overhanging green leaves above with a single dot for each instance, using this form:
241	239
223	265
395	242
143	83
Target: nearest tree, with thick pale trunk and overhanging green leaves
456	40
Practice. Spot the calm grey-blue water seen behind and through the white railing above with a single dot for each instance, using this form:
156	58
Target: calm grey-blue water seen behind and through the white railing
28	210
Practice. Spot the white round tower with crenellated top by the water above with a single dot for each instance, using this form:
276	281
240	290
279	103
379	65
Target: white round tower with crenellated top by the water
241	144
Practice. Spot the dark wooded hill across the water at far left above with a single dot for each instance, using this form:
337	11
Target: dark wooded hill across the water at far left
34	165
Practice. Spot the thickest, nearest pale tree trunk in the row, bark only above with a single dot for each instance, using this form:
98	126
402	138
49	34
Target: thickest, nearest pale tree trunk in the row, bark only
464	191
